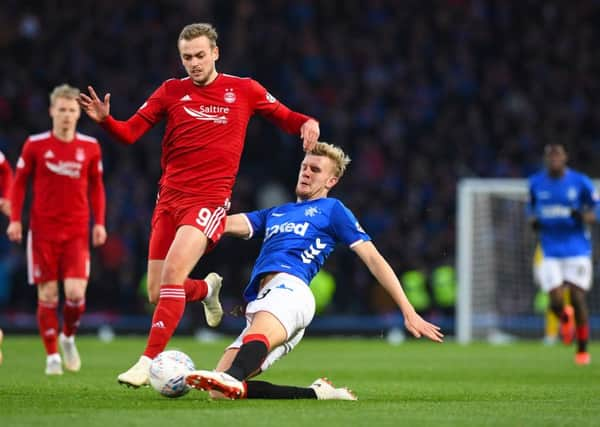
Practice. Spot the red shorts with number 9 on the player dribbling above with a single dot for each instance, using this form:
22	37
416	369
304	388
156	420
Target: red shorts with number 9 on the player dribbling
174	209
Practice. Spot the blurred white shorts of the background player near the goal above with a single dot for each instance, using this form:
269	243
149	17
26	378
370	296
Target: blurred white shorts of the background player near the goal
553	272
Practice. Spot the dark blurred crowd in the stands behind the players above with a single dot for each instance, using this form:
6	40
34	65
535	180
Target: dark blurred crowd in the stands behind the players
419	93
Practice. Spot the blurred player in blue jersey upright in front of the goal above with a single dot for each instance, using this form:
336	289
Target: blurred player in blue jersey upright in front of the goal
563	202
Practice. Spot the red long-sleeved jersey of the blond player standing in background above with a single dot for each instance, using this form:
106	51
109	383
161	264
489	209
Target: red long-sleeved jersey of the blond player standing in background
63	173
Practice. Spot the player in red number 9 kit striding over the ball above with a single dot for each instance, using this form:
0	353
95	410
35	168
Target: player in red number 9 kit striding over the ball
206	114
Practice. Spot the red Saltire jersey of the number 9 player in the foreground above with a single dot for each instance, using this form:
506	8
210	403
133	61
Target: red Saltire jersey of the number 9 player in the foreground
206	128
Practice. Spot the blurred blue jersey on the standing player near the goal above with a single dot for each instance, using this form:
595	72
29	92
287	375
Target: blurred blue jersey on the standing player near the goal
551	201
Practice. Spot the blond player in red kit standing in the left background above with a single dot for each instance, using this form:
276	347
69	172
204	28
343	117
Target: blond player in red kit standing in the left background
66	170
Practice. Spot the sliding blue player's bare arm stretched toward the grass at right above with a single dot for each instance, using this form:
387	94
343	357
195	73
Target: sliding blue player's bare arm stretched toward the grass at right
384	273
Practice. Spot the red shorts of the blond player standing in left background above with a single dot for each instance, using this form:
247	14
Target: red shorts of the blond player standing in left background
57	257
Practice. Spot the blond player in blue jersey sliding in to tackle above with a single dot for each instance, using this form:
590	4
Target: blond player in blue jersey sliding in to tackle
297	238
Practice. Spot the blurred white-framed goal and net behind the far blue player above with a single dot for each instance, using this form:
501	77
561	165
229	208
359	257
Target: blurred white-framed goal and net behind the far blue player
495	248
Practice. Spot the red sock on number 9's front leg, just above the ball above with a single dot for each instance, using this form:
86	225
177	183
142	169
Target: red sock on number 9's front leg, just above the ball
168	313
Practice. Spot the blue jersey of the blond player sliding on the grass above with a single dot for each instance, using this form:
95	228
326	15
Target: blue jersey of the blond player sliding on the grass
298	238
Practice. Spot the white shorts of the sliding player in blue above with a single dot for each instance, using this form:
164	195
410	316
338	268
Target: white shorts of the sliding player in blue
290	300
